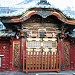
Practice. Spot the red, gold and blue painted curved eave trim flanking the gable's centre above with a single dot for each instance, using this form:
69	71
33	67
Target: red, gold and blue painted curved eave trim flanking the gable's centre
56	13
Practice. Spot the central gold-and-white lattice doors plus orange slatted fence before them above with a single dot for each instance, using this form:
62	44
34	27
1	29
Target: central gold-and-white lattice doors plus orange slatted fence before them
41	55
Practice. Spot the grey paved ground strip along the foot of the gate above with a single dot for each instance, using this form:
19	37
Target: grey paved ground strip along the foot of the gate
39	73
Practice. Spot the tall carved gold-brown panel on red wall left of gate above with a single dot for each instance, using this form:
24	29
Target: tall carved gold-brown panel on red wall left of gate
16	54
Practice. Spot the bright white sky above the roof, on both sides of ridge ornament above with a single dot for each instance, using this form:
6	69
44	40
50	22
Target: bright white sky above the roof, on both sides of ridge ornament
58	3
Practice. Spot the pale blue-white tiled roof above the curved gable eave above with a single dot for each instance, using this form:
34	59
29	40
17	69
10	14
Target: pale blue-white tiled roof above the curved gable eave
22	7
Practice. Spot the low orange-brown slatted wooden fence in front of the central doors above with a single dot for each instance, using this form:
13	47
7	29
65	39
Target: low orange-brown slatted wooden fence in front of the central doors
41	61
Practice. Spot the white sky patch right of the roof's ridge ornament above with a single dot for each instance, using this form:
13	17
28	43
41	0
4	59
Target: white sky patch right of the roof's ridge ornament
63	3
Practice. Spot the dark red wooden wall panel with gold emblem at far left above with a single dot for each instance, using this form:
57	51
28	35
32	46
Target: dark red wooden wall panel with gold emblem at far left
4	50
